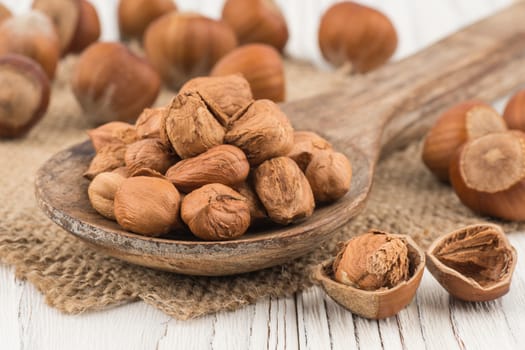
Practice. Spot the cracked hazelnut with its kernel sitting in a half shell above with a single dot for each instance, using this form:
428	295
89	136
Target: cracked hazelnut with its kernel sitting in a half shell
374	275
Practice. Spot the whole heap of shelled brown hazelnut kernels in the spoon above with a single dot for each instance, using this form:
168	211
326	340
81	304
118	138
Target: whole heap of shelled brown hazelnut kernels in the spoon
215	160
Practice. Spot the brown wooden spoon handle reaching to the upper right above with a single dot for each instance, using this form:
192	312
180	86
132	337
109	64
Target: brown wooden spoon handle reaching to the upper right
397	103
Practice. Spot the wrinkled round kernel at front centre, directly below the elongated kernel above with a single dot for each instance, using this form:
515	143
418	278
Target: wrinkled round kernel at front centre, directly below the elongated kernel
216	212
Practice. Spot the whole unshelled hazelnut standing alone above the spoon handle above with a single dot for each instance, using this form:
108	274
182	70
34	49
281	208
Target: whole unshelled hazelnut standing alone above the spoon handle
354	33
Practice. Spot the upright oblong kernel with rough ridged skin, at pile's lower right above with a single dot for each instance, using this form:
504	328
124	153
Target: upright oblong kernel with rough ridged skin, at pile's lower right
283	190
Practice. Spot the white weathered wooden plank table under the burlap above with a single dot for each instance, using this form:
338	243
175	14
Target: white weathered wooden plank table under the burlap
308	320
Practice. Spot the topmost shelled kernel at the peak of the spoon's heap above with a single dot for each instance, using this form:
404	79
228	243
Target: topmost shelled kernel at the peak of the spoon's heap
225	95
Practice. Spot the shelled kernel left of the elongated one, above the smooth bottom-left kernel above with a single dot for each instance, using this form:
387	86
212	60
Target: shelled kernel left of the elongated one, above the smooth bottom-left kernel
149	153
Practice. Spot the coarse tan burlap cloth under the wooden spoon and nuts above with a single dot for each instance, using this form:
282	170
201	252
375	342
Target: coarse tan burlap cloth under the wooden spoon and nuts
74	278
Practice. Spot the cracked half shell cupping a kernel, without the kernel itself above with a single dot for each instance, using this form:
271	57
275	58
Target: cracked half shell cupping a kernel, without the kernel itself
376	304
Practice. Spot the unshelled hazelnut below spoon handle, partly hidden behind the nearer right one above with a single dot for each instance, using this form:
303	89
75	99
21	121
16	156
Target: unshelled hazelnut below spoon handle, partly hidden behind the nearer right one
457	125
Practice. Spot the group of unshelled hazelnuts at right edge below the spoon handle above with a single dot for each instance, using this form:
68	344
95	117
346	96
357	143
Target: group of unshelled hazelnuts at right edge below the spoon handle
482	154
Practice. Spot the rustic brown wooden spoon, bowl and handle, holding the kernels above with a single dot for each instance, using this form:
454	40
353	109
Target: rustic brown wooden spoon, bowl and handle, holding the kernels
381	110
